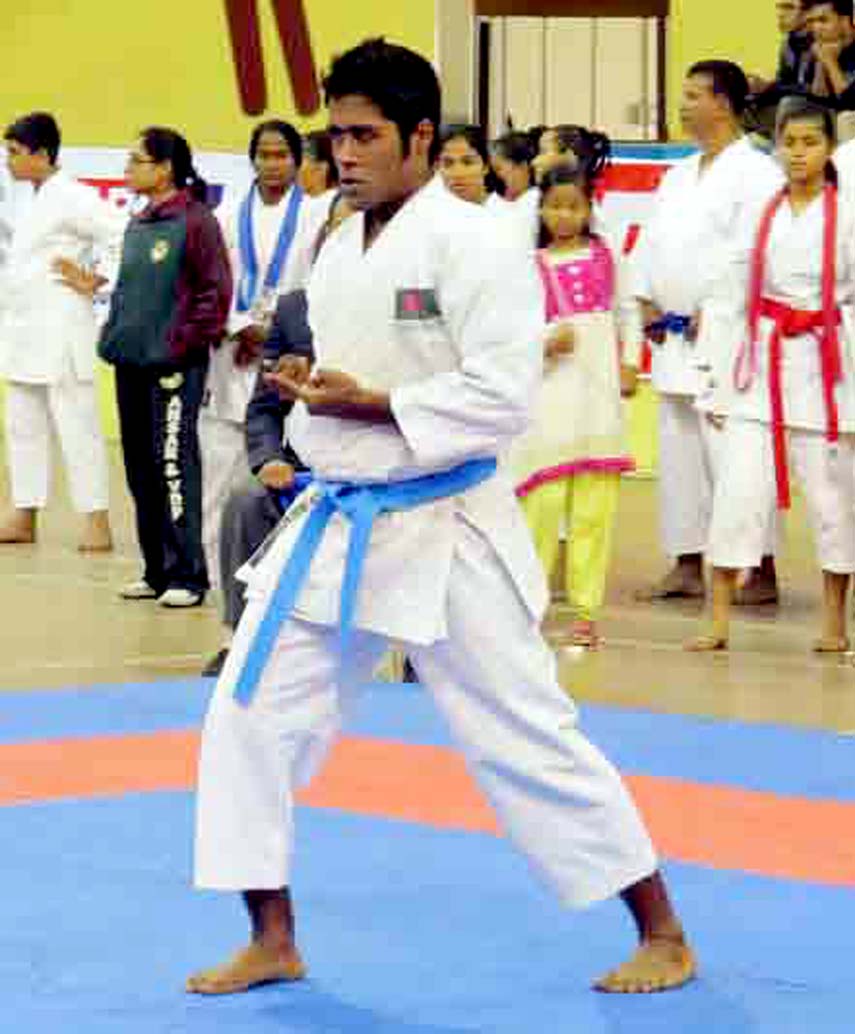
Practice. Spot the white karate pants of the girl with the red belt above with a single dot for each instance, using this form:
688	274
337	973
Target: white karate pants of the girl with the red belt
746	493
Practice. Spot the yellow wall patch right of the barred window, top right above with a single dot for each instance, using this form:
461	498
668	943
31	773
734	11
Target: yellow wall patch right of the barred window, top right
741	31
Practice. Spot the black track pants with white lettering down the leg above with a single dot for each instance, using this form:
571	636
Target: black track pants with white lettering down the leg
159	416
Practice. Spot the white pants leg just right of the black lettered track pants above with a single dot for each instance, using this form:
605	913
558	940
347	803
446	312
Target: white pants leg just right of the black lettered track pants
225	468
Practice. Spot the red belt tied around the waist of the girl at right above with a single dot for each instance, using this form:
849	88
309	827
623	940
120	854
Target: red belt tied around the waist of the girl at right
793	323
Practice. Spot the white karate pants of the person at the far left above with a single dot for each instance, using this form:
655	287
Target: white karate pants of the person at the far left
72	407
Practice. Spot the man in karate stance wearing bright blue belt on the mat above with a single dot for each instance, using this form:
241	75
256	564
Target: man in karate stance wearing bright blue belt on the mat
427	331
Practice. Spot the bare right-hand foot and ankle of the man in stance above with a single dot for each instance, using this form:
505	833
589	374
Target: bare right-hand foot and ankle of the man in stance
664	960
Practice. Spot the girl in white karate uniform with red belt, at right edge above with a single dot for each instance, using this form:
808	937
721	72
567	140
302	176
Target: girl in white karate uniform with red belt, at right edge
793	384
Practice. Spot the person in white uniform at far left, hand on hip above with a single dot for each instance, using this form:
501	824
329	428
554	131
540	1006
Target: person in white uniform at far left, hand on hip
49	333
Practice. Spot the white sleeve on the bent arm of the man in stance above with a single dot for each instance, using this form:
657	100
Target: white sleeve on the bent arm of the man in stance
493	301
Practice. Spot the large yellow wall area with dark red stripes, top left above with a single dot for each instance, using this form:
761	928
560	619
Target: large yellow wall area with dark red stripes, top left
107	70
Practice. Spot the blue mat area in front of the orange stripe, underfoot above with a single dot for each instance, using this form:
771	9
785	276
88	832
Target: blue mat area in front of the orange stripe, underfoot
407	931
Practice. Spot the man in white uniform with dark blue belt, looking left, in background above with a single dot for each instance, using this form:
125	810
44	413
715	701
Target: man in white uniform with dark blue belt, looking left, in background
683	267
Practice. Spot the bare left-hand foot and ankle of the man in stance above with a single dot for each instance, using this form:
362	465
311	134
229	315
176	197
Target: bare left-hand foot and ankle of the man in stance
271	956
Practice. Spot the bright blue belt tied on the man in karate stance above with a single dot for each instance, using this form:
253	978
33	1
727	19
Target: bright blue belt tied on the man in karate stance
360	504
